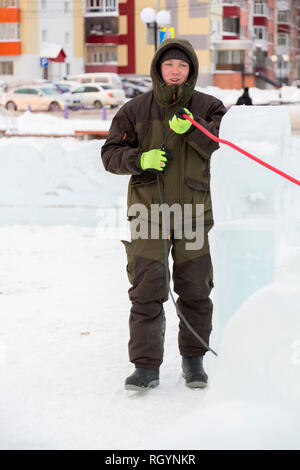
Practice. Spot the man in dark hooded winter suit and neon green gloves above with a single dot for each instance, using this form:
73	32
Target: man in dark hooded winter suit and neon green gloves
133	146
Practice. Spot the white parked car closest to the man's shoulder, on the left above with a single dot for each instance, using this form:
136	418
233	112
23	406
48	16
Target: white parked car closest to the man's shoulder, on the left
94	94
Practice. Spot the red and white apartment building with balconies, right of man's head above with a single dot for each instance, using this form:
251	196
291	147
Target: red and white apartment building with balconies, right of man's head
242	54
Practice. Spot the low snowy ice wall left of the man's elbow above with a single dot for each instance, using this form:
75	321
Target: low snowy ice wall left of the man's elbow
56	173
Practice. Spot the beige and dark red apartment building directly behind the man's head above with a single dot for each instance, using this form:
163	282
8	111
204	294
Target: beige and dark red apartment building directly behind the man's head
116	39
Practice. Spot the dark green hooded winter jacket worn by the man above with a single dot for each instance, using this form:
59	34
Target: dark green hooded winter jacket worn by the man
142	124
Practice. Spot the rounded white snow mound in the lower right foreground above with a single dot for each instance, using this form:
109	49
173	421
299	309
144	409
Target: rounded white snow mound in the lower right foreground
253	400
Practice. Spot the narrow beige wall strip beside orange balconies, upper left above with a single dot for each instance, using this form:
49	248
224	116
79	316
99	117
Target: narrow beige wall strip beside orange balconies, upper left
29	26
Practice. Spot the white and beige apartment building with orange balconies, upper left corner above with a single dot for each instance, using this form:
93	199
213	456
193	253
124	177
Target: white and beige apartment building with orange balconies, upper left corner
40	39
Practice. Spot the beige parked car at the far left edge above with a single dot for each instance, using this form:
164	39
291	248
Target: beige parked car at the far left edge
44	98
